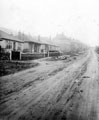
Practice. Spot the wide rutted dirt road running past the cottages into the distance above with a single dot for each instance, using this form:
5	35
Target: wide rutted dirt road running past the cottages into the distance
55	90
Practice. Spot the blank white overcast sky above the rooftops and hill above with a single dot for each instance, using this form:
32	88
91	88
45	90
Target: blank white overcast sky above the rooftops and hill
76	18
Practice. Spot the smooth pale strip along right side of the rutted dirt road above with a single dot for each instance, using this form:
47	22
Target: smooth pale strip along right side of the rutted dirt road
89	106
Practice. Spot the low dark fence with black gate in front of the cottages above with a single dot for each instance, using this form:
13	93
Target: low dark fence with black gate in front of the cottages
14	55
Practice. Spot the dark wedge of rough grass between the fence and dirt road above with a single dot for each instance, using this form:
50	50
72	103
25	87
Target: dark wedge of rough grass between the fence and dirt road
11	67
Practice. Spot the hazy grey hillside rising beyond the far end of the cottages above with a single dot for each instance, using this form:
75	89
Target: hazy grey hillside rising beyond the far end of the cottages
68	44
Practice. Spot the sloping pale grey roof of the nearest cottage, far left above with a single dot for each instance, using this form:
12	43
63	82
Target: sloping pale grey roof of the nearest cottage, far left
6	36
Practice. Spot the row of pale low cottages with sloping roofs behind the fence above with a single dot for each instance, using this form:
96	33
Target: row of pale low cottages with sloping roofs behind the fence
33	46
